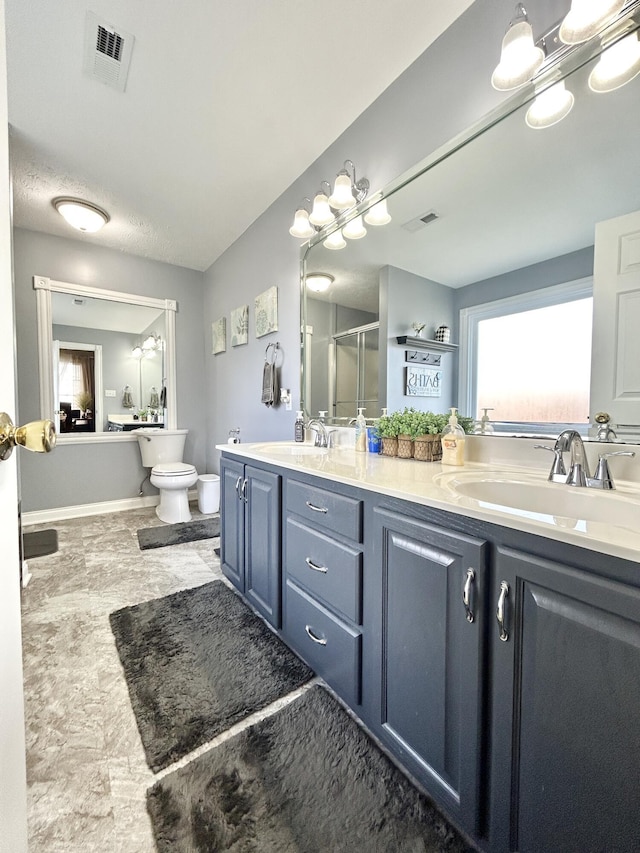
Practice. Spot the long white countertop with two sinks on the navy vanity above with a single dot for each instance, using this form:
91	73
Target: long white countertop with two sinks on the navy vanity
604	521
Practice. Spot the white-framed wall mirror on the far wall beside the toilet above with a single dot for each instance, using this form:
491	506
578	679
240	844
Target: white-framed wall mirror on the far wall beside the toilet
107	361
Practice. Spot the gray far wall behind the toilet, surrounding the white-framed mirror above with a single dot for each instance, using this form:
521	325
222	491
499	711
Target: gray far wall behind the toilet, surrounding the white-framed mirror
101	472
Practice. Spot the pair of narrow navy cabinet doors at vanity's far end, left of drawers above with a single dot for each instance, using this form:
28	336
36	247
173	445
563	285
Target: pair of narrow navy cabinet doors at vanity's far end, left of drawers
250	542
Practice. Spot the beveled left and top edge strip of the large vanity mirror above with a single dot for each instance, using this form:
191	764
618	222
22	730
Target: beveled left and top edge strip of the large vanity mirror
563	63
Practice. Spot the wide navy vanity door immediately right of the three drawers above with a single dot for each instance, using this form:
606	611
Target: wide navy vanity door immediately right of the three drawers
423	658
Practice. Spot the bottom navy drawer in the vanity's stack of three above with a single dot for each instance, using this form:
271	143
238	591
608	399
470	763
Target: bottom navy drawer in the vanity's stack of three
330	647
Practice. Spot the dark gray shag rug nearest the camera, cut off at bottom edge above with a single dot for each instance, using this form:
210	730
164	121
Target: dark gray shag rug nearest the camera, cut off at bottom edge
305	780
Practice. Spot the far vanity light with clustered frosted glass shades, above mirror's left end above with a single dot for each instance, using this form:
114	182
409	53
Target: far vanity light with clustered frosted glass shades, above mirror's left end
327	205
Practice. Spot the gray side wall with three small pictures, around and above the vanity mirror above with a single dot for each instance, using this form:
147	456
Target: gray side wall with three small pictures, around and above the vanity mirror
445	91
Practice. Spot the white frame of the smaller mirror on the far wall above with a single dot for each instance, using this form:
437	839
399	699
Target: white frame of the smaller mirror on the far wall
44	287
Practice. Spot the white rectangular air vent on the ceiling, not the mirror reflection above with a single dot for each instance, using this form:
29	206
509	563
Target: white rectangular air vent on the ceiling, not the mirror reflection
107	52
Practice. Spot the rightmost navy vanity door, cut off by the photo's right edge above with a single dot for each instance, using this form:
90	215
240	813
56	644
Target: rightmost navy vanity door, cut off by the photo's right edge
566	692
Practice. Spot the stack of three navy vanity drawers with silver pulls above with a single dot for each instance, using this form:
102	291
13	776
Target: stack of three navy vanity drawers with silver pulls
323	581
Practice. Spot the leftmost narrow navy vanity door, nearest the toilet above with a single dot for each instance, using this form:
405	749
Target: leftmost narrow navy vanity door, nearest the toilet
232	522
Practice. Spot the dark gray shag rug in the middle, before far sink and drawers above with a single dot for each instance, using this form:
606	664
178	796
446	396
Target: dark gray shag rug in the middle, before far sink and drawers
196	662
